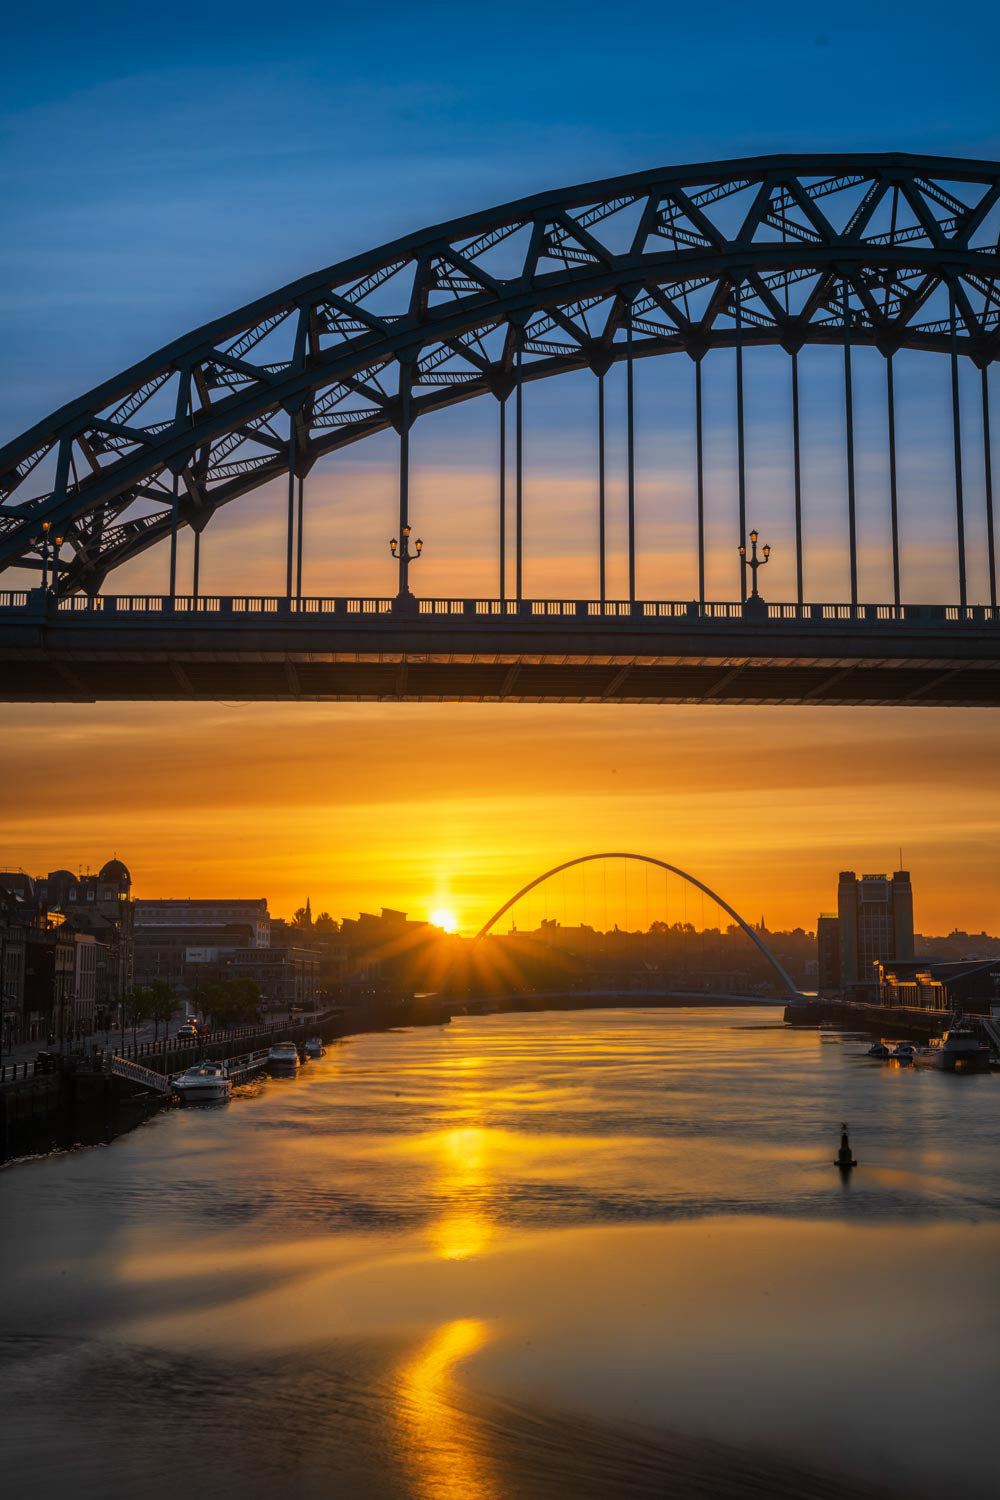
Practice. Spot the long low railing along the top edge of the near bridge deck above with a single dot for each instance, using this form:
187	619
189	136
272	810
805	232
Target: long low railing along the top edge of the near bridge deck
244	607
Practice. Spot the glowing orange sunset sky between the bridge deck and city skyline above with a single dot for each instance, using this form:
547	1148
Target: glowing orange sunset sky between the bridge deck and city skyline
437	806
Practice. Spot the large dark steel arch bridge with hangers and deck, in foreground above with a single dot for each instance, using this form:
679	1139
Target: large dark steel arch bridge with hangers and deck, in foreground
893	251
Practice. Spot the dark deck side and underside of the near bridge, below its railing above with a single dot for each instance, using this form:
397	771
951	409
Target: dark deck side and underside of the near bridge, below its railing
506	661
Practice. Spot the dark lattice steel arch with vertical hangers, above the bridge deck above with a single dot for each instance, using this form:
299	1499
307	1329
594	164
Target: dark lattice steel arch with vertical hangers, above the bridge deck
842	250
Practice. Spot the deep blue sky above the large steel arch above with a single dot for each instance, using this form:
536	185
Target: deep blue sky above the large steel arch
160	164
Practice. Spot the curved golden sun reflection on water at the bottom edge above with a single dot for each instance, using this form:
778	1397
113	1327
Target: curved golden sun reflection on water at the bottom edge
442	1444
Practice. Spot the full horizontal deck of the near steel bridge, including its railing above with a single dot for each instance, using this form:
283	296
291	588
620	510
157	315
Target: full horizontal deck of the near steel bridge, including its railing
490	650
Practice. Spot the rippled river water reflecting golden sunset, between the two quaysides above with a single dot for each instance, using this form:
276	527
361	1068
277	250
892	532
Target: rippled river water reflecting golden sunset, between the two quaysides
585	1255
